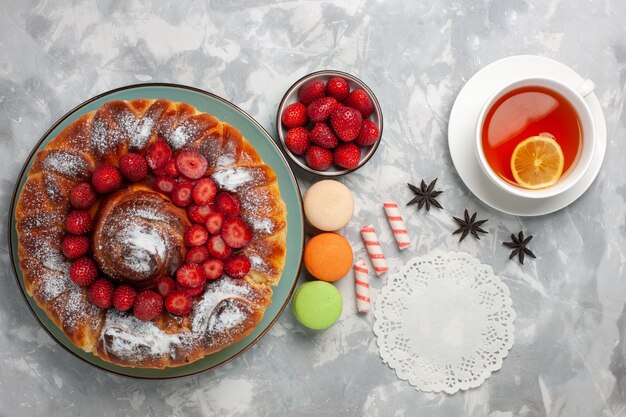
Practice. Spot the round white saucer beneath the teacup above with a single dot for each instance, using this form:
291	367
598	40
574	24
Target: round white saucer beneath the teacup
462	128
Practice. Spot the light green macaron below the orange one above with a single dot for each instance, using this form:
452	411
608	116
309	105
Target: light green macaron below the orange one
317	305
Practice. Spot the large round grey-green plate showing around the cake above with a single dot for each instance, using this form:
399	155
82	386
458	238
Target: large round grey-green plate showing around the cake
271	155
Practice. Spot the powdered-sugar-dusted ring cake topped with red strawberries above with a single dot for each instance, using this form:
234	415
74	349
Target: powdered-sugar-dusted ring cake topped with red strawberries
151	233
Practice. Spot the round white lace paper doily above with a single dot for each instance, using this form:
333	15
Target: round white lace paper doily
444	322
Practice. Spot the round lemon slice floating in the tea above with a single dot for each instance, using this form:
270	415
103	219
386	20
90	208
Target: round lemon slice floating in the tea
537	162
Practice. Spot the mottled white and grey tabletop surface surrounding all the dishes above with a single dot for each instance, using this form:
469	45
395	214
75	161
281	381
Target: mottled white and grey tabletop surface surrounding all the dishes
569	357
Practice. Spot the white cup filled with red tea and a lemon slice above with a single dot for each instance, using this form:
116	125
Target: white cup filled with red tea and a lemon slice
536	137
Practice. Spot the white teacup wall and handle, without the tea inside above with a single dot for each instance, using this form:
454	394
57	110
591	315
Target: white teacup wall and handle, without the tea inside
576	97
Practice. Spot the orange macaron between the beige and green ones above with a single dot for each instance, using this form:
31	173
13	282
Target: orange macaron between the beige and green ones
328	256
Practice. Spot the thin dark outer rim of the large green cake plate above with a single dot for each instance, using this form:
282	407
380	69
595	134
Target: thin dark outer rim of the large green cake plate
32	153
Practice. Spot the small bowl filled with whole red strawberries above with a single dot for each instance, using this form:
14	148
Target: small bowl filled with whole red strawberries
329	123
